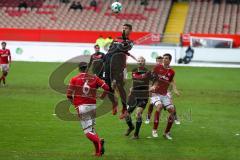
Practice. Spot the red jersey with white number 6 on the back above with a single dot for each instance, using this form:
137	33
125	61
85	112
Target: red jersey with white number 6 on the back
83	87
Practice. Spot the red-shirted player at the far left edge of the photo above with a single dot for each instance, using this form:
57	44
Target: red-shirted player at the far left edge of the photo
5	60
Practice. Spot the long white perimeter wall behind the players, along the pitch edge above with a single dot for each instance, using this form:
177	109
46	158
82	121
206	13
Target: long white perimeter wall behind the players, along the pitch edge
61	52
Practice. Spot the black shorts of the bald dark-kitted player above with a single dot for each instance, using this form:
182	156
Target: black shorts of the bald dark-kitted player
134	102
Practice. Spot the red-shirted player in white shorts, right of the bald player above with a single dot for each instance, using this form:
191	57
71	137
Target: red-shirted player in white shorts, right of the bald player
164	76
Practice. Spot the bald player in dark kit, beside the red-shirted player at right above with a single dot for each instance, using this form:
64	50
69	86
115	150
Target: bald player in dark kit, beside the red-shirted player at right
138	96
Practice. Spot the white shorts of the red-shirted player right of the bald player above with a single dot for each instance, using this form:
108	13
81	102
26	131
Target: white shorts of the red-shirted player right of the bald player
165	100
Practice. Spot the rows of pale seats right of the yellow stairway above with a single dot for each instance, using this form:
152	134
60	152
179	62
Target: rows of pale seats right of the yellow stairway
213	18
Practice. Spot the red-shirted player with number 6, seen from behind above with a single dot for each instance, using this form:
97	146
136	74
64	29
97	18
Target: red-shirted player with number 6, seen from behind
82	93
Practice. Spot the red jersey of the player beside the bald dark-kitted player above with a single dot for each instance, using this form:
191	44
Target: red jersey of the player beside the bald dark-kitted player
164	77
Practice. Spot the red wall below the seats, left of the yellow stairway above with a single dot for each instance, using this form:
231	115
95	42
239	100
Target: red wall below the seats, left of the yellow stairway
60	35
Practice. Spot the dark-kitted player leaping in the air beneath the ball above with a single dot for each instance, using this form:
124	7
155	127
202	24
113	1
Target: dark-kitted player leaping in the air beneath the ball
115	62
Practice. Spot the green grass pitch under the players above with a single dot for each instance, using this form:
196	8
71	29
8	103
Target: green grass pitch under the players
209	108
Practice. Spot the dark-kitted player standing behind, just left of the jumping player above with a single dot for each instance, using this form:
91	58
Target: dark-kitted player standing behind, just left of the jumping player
96	61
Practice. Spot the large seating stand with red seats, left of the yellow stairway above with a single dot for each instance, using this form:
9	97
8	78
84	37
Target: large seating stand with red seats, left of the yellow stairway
52	14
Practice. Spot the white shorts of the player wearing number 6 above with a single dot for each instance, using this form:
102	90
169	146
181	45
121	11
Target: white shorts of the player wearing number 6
87	114
